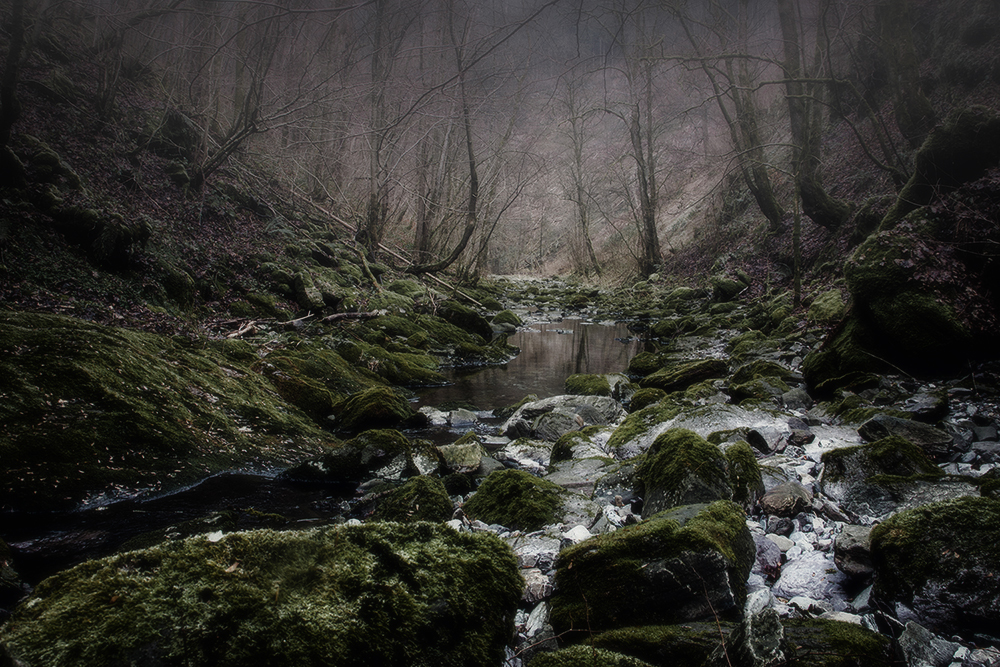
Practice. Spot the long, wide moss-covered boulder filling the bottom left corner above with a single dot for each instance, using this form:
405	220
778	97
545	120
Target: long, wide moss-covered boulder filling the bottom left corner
378	594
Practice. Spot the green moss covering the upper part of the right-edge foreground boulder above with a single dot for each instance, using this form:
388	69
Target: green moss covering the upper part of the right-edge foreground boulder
936	543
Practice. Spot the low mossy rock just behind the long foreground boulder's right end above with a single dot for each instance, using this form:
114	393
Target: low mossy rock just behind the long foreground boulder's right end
516	499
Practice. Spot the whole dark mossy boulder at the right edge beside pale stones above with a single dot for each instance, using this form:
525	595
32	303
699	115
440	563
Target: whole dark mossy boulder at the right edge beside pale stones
940	563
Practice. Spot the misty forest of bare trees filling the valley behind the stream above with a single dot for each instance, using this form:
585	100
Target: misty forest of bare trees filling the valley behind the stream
604	138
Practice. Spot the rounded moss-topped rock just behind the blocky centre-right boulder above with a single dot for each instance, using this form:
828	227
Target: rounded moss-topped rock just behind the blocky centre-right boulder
682	468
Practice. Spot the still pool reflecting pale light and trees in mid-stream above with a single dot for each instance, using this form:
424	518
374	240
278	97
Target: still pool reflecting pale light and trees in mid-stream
550	352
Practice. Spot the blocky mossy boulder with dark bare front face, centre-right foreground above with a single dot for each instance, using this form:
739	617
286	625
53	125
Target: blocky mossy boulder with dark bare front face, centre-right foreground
686	564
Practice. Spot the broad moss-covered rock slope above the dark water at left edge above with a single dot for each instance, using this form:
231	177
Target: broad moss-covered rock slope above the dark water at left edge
88	408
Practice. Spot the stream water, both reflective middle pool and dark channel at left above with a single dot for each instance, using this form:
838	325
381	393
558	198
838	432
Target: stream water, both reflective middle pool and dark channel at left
550	352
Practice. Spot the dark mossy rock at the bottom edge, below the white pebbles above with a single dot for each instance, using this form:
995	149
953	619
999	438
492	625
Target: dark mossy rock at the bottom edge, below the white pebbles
823	643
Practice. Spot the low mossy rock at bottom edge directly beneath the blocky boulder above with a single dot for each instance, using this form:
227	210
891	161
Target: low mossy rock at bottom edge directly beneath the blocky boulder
688	644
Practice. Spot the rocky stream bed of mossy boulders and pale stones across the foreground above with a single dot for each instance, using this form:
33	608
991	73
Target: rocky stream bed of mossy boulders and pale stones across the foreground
704	505
